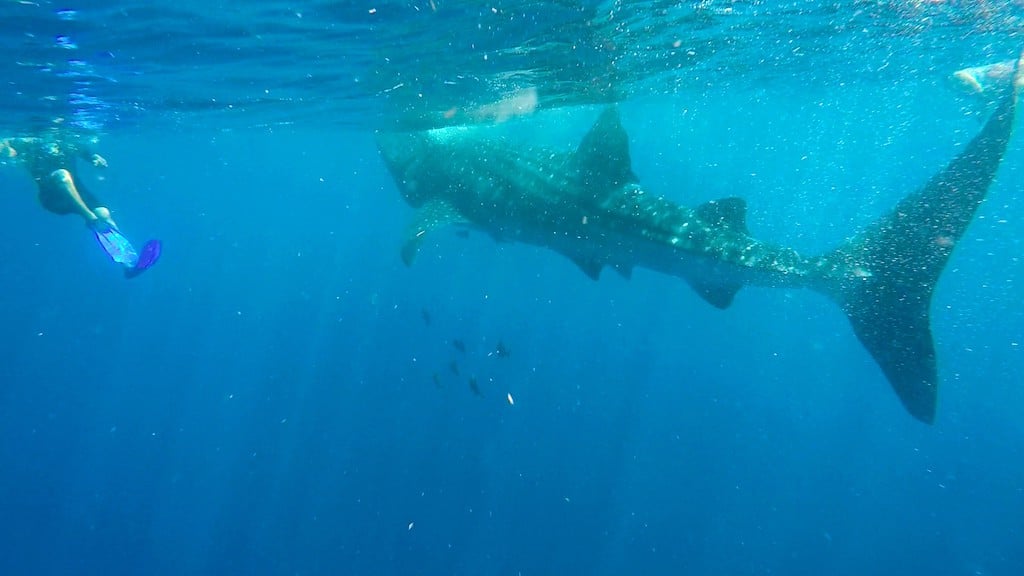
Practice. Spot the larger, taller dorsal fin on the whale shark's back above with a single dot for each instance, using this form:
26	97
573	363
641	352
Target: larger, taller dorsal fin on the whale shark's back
603	161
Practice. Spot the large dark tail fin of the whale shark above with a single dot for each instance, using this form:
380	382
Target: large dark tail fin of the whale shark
890	271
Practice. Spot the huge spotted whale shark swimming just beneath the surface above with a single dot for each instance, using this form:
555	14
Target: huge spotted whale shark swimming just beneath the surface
588	205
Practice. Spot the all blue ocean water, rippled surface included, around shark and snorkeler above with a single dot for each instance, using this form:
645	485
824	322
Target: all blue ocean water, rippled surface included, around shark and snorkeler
280	396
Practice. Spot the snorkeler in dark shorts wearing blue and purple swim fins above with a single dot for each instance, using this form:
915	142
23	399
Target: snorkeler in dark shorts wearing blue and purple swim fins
51	162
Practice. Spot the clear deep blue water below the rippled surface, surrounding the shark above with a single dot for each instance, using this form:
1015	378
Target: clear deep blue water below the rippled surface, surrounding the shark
264	401
